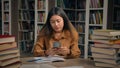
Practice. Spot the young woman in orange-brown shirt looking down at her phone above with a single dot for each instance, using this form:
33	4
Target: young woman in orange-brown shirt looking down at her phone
57	28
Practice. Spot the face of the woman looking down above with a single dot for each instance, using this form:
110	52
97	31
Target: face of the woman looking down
57	23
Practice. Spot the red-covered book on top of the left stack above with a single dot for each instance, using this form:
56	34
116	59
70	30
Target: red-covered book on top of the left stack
6	38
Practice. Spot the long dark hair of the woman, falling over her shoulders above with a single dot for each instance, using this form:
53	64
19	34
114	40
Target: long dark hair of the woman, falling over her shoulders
47	29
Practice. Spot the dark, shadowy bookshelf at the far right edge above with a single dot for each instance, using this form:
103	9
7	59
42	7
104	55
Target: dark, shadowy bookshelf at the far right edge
114	14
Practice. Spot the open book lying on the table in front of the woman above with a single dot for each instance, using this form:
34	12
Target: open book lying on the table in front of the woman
47	59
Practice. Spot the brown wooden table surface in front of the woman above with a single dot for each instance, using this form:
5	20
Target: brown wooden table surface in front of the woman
68	62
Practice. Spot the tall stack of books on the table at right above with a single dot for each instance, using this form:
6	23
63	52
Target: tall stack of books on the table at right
106	47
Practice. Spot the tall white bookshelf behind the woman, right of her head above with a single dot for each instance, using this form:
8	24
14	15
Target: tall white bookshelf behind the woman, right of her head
85	15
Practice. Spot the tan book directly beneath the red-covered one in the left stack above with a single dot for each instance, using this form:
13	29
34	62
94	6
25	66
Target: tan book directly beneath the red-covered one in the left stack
7	46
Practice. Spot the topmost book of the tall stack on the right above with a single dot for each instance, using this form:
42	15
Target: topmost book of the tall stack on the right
105	32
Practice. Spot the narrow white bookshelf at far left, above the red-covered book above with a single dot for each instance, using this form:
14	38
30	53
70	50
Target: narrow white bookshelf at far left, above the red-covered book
6	19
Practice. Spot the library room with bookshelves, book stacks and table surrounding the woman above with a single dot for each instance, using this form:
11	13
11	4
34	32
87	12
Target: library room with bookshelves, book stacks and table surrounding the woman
96	21
